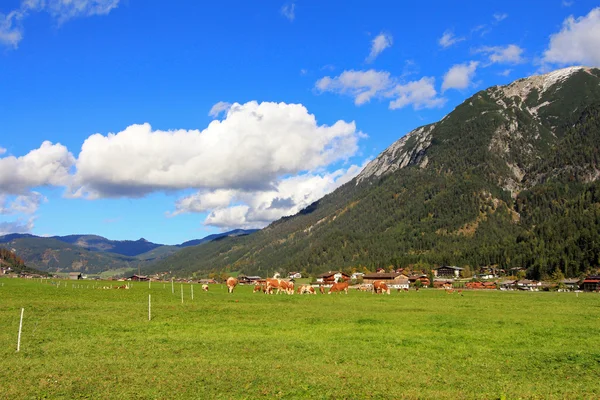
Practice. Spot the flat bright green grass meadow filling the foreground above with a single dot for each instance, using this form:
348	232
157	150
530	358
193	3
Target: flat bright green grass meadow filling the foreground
93	343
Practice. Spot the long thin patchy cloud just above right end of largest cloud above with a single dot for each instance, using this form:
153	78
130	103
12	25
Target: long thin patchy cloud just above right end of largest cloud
365	85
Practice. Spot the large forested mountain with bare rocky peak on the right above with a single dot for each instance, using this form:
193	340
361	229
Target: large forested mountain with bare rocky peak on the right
508	178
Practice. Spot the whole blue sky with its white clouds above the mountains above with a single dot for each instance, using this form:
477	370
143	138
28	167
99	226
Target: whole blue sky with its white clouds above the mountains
105	105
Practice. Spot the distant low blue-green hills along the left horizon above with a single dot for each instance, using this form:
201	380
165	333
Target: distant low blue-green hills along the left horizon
94	254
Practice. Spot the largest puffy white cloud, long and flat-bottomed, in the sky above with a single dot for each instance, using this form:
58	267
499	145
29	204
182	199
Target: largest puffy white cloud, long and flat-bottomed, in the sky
249	149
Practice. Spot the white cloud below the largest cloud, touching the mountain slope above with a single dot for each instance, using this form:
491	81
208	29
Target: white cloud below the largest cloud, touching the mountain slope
257	209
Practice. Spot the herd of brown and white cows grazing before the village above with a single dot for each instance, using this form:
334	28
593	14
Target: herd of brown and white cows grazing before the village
276	285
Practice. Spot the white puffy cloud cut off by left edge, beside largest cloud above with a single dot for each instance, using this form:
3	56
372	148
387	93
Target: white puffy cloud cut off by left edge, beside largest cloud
48	165
